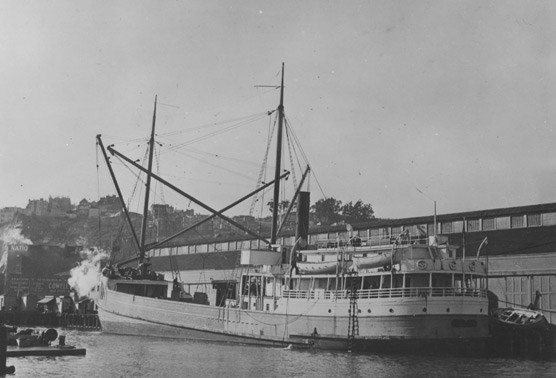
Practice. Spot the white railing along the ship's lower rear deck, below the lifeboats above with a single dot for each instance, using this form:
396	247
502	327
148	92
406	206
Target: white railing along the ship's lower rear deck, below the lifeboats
387	293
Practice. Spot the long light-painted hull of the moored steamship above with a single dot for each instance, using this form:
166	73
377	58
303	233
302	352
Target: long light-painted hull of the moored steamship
320	323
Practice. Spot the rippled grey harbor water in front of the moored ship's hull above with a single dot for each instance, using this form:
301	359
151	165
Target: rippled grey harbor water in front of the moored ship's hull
127	356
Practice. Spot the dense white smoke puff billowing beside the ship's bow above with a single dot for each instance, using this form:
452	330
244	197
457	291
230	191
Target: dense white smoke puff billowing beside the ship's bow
87	274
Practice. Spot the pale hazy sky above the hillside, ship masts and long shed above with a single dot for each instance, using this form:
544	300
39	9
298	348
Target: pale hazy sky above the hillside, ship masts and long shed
454	98
